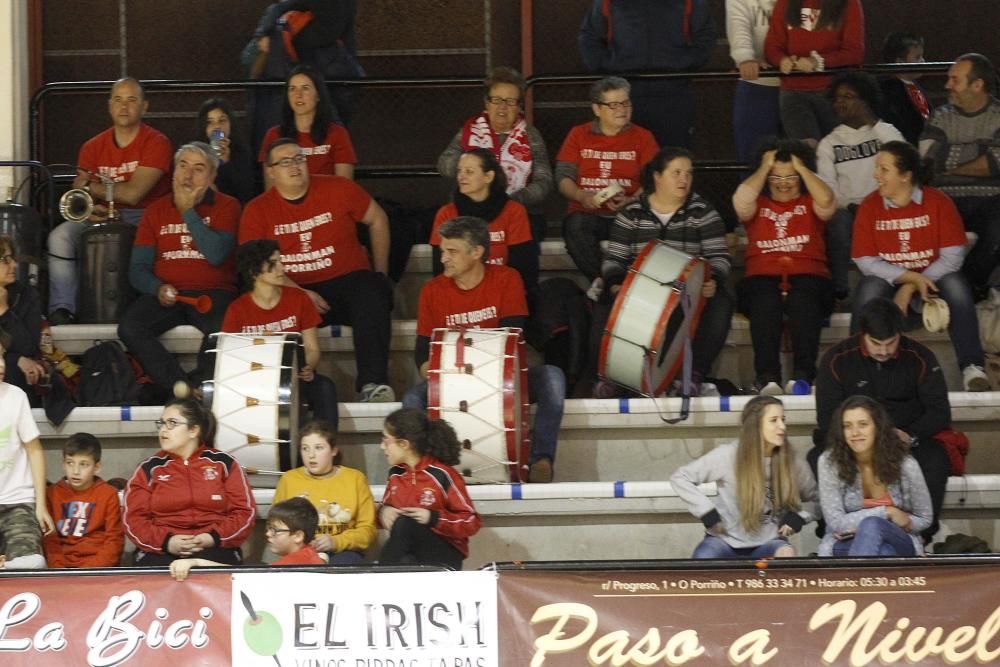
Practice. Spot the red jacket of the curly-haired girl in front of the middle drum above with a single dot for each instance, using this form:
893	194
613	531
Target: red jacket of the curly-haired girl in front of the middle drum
439	488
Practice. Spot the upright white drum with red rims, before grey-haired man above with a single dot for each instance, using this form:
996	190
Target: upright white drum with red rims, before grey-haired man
478	382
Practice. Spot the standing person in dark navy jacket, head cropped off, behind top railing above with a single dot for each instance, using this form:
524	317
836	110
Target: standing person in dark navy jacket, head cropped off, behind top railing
652	35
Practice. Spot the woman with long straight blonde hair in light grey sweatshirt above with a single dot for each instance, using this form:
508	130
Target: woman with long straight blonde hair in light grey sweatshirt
765	493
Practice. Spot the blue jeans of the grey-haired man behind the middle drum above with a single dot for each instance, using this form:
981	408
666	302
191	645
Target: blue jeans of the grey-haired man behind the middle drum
546	387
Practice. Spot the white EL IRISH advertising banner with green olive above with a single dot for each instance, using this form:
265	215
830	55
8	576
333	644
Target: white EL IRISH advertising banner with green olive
430	619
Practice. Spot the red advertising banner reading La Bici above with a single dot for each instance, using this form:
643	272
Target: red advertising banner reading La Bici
114	620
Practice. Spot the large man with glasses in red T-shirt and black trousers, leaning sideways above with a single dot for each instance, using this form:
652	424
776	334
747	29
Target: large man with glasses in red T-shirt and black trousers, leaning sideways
313	219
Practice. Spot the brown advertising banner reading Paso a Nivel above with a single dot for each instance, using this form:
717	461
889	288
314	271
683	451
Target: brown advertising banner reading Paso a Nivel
936	615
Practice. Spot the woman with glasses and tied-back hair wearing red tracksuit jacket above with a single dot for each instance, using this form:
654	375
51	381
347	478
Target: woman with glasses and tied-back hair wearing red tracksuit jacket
188	499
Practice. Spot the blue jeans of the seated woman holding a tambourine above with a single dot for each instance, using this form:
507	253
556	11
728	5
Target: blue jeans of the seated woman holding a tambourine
963	325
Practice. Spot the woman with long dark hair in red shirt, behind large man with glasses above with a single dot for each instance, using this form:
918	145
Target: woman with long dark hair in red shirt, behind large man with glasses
308	117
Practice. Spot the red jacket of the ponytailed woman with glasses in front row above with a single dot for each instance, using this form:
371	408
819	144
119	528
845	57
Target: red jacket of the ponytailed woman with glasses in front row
208	493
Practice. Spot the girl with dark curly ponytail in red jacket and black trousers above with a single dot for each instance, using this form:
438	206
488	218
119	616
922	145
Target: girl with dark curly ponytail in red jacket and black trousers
426	507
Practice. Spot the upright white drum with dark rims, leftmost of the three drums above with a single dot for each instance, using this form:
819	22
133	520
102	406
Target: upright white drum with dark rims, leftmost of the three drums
254	397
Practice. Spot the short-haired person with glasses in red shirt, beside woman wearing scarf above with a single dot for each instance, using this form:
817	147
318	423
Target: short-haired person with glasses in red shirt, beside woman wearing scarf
607	151
